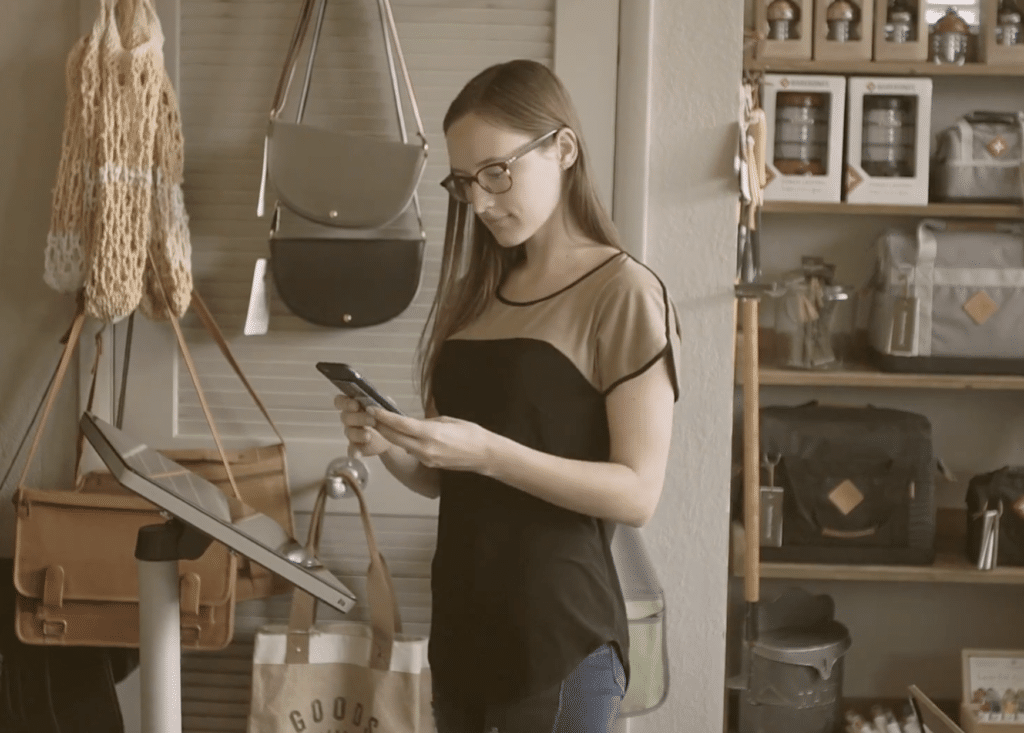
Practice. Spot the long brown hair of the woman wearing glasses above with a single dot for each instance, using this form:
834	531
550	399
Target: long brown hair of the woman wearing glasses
526	97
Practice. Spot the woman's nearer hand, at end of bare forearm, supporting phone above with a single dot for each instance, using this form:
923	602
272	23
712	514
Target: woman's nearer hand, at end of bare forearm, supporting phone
437	443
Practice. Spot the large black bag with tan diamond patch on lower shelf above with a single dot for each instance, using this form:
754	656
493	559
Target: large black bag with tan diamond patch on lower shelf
859	485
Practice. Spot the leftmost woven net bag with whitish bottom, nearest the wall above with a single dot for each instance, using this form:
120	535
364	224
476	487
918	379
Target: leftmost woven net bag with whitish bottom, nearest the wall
69	240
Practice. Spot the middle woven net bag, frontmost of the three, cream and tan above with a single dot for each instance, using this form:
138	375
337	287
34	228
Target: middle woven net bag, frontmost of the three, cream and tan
133	70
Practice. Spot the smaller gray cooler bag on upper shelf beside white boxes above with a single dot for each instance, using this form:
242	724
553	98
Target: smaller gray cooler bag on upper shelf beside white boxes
980	159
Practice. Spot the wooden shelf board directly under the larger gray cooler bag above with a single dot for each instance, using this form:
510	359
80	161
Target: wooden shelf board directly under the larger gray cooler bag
862	376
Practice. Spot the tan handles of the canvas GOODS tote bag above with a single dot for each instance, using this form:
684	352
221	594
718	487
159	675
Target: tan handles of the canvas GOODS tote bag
386	619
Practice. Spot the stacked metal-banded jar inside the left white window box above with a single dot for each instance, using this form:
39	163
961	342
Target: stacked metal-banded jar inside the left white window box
801	134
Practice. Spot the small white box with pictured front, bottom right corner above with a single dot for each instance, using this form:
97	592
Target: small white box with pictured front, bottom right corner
994	692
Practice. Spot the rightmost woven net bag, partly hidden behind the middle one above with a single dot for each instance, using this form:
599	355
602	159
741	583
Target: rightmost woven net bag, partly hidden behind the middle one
167	281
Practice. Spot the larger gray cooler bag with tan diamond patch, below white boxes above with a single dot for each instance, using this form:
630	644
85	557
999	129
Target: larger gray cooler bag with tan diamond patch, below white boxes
950	298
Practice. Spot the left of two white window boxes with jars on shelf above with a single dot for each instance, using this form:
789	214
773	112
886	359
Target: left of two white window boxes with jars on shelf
804	152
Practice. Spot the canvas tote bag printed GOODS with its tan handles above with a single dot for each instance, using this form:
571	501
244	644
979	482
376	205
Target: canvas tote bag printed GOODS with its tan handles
318	676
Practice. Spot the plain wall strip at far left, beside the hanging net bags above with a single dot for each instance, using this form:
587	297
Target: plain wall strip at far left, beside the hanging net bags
34	42
